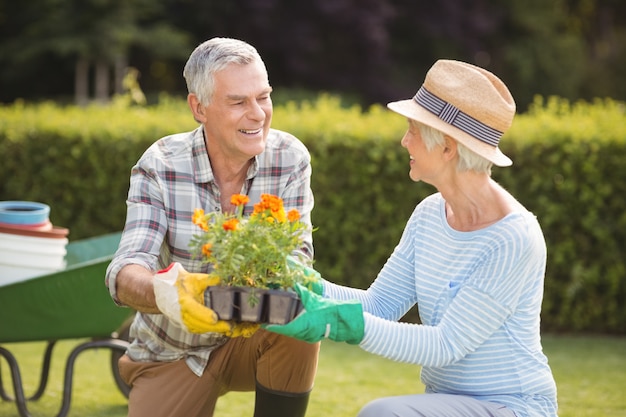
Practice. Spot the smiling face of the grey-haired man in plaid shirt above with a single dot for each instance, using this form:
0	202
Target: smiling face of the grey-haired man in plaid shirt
238	118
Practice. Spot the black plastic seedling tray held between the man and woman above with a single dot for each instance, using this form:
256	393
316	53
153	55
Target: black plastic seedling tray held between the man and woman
254	305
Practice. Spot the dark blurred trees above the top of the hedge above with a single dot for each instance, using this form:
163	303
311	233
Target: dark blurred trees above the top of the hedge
371	51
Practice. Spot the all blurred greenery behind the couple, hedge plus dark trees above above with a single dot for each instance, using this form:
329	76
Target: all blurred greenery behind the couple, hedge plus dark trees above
568	146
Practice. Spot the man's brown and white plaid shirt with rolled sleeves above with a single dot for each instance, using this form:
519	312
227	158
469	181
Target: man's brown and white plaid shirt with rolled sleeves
169	181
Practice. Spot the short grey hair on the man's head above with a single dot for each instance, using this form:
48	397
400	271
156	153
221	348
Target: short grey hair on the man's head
213	56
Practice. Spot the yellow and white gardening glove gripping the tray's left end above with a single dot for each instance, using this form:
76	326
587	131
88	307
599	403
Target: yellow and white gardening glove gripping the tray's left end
180	296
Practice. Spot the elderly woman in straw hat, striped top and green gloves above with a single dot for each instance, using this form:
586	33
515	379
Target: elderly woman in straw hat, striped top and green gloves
471	257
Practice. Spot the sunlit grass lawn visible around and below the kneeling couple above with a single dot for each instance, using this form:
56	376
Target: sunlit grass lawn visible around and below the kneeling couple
590	373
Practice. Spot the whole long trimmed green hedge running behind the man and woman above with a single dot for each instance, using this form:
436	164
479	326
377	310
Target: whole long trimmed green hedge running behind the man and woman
568	169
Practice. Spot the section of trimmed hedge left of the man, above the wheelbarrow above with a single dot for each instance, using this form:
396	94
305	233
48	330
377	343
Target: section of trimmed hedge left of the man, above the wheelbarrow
78	160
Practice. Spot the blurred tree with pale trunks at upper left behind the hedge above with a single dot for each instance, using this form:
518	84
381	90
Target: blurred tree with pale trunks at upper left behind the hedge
96	33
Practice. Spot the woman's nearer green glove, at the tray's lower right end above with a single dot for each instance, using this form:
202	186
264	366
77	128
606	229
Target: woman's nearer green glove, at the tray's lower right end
341	321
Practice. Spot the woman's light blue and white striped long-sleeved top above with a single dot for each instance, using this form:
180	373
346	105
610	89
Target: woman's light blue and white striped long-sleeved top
479	296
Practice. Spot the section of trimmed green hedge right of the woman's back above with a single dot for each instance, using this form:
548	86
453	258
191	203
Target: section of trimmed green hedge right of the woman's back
569	171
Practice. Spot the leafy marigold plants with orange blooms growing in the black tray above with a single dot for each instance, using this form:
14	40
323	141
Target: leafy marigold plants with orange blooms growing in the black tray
250	251
